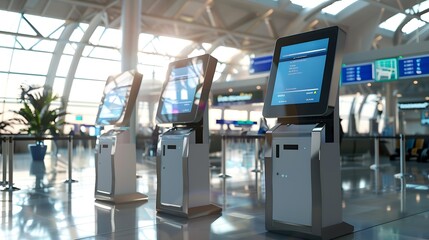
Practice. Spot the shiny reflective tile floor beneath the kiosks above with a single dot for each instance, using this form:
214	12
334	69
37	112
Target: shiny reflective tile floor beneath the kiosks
377	204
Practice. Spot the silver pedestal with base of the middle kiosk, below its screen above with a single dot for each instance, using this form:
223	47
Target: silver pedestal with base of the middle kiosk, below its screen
183	171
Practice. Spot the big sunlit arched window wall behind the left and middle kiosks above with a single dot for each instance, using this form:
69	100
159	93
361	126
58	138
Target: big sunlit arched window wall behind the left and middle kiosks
27	45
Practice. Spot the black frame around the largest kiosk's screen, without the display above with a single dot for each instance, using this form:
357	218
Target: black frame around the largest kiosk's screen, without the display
322	107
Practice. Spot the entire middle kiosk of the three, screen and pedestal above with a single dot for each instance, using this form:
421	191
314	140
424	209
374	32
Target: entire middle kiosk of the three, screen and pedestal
183	184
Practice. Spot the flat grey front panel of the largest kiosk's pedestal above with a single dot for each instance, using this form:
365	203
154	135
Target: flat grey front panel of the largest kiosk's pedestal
292	180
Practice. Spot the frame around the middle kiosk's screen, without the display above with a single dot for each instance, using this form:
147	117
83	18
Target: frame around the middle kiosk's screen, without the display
199	104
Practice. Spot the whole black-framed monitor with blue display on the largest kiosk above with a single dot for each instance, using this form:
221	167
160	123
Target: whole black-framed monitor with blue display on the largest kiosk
305	73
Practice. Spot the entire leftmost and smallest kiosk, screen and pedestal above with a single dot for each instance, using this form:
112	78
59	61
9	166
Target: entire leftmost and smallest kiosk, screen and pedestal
115	154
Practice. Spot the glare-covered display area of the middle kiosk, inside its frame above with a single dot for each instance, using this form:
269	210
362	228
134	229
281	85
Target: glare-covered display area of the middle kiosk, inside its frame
180	91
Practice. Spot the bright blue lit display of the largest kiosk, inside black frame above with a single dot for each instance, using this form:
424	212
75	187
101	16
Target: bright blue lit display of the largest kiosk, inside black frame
300	73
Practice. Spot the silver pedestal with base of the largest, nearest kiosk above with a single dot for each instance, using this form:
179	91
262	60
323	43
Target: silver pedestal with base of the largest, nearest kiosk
303	179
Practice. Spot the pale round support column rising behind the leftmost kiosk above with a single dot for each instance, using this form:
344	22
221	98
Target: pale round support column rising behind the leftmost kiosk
130	23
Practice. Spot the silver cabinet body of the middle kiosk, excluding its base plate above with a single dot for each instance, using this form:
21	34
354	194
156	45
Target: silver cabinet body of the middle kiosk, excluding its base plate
184	169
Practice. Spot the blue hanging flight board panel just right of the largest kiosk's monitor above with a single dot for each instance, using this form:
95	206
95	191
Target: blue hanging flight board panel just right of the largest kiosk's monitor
357	73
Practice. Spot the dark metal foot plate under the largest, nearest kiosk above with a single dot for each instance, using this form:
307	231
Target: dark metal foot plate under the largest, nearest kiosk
328	232
